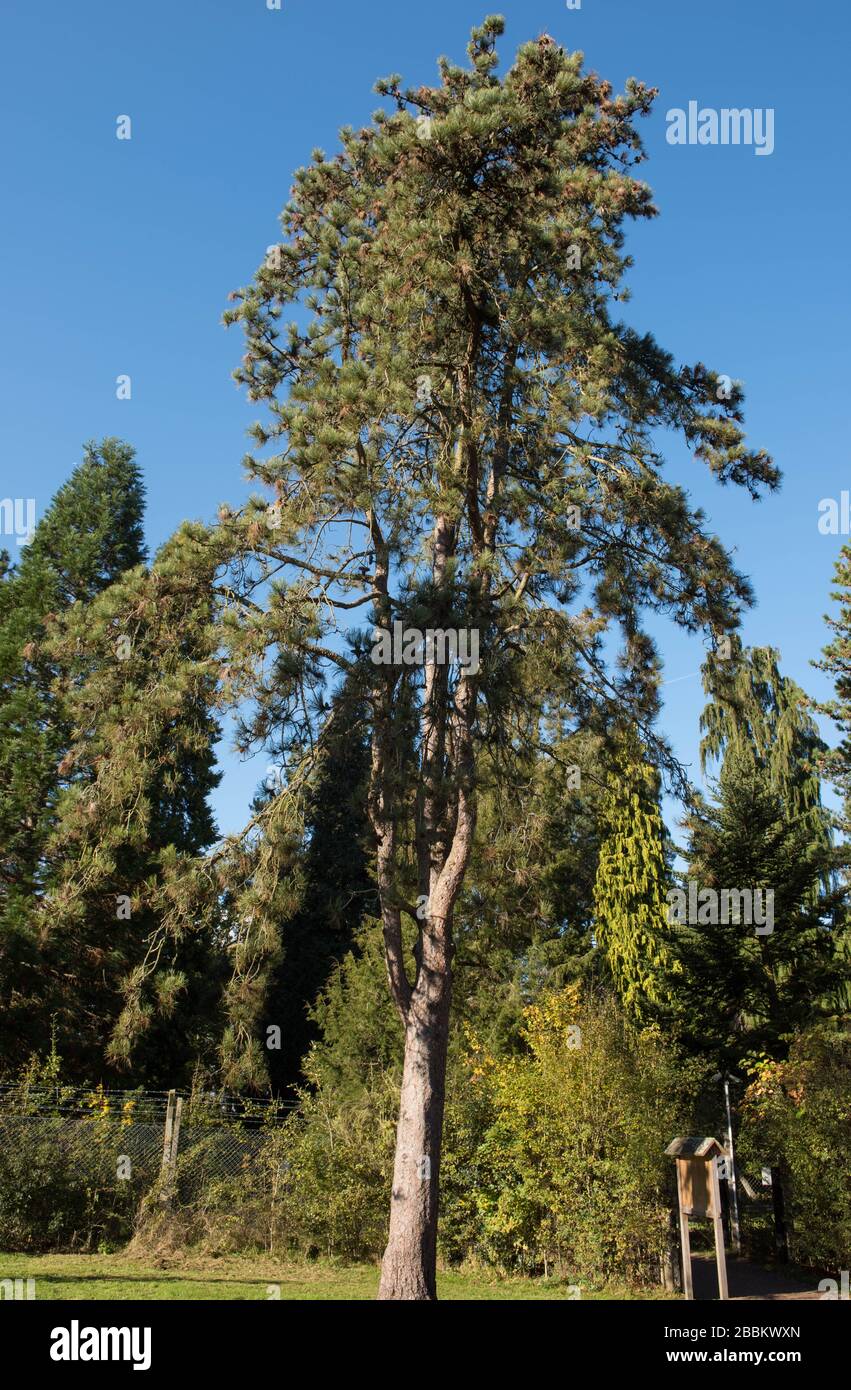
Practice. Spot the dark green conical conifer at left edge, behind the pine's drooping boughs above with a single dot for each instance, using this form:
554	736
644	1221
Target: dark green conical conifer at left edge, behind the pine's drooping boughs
88	537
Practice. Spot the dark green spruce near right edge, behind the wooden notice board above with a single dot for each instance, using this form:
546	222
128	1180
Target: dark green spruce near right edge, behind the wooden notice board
754	978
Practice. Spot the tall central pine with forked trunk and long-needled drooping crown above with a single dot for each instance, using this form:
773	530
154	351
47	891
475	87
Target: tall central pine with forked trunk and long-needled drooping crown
465	441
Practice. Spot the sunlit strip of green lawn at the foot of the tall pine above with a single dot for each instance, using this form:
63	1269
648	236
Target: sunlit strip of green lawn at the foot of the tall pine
117	1278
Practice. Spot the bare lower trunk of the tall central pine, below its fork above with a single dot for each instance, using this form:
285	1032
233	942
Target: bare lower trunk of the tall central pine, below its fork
410	1266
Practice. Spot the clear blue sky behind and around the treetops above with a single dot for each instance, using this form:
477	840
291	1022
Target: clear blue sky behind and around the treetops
119	256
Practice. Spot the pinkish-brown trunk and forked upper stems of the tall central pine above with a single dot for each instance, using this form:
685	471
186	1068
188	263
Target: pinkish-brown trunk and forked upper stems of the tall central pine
446	825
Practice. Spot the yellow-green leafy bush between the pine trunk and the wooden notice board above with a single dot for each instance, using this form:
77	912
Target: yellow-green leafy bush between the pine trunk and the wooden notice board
556	1157
